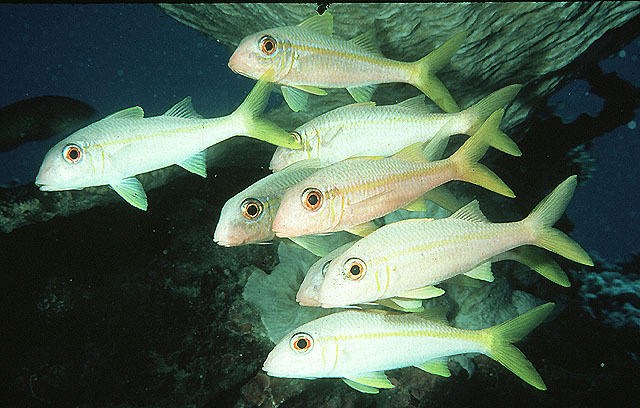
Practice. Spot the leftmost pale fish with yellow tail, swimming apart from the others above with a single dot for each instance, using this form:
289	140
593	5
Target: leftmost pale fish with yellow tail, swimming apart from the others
113	150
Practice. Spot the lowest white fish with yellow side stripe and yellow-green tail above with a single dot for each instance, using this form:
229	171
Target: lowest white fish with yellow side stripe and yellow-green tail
359	345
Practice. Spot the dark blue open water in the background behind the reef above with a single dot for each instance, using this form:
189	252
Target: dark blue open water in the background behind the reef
116	56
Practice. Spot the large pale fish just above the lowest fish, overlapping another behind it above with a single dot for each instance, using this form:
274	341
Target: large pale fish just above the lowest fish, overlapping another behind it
406	258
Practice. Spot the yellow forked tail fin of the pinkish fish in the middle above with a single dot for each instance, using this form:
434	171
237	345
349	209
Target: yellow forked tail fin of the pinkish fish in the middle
465	159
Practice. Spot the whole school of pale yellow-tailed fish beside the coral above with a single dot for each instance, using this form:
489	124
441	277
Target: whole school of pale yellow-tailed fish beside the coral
341	171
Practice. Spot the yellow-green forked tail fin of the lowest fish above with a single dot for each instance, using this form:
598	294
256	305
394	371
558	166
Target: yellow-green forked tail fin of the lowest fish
500	337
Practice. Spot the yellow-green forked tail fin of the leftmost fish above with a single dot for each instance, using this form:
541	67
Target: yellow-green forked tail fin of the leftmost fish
259	128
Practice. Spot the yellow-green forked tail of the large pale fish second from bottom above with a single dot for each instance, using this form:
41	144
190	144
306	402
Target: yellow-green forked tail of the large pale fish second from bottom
547	213
